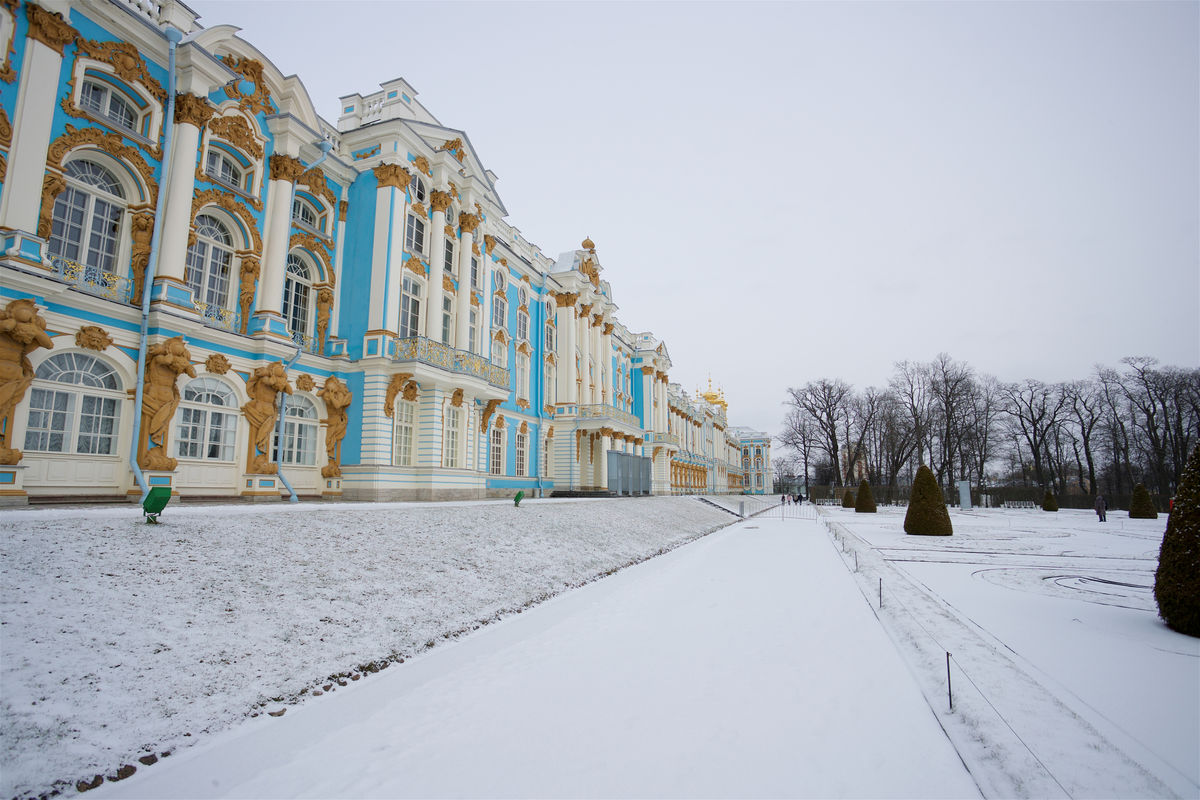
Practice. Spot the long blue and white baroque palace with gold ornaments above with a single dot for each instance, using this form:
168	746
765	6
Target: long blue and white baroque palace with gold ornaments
208	287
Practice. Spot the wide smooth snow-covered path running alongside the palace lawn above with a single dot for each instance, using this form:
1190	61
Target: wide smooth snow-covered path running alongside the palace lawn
743	665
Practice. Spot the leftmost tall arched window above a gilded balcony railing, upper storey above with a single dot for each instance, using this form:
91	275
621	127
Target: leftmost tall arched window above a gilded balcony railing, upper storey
87	218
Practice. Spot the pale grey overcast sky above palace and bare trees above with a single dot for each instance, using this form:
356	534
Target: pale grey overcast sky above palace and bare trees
789	191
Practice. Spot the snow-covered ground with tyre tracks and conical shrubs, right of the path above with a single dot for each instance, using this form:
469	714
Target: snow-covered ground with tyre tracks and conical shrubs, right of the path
1066	682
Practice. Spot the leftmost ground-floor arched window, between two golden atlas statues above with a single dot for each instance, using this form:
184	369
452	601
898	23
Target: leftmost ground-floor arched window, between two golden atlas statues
74	407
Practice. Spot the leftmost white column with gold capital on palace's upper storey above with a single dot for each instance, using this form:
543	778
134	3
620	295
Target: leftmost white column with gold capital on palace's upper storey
33	117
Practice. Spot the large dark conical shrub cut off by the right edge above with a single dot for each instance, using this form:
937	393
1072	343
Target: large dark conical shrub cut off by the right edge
1178	580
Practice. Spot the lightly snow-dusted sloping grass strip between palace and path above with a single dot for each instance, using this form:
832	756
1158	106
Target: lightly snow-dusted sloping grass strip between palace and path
121	640
